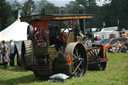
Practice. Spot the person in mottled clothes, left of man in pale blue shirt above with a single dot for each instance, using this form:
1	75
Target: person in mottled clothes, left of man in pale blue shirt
5	56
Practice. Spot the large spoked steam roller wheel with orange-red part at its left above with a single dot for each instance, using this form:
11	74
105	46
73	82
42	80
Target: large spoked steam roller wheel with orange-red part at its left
78	58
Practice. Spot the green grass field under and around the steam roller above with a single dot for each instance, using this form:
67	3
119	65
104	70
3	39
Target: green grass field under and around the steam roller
116	73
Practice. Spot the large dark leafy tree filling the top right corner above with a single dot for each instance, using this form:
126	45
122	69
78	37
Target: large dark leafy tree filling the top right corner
113	12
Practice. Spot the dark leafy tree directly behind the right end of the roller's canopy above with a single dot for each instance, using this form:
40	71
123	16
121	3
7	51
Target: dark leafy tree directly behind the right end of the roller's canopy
88	7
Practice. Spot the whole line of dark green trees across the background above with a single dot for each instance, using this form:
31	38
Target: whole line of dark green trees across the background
114	13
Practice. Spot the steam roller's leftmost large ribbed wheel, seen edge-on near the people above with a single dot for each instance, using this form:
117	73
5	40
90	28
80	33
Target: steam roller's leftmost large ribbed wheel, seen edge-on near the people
27	54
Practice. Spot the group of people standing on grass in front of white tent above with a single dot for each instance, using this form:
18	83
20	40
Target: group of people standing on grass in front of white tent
7	53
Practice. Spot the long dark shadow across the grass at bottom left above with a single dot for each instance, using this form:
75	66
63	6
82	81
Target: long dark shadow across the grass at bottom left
20	80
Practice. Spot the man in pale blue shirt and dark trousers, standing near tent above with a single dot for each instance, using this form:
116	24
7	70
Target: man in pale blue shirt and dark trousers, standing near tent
12	53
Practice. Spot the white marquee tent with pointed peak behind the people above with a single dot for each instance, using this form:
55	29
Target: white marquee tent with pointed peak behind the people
16	31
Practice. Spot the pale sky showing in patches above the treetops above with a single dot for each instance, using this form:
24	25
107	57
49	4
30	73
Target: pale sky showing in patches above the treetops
59	2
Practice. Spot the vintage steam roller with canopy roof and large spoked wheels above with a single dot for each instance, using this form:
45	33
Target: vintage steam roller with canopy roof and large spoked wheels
56	49
